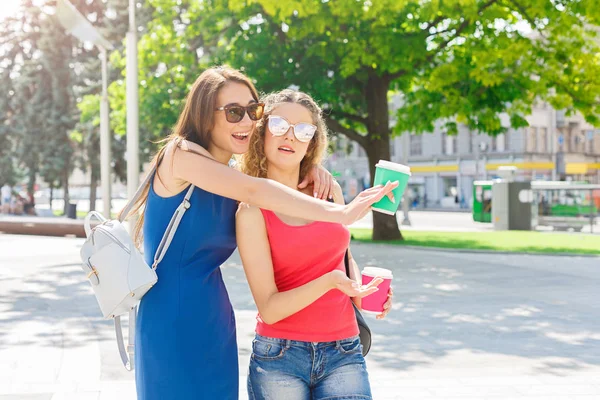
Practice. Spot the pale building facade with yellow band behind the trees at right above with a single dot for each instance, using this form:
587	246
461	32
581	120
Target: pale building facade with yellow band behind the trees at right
553	147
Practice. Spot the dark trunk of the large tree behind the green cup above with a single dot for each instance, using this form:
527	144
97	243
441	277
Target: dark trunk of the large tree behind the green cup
385	227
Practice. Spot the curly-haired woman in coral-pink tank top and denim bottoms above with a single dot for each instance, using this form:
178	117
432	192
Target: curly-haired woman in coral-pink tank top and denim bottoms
307	344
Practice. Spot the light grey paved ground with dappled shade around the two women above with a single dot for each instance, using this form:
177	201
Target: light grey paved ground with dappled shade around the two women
464	326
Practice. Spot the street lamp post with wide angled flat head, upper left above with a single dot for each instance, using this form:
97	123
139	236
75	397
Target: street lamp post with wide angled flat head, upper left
78	26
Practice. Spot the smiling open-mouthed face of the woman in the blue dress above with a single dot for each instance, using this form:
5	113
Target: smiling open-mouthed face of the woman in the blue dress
229	138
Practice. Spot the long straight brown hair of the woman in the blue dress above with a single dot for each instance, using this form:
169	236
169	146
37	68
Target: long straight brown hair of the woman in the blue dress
194	124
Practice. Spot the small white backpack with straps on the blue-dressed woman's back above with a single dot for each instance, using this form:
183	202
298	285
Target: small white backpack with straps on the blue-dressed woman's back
117	271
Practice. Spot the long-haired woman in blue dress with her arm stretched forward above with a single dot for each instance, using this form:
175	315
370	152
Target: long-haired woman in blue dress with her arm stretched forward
185	335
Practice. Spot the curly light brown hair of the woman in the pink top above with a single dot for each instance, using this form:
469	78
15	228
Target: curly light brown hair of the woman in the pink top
254	161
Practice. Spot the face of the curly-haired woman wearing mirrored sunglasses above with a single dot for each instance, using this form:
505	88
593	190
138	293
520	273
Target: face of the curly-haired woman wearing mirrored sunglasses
286	152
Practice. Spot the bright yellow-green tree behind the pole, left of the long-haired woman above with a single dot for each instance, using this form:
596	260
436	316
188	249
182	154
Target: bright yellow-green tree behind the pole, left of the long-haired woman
166	70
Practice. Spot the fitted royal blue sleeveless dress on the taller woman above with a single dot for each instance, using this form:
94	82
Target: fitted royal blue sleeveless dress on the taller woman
185	335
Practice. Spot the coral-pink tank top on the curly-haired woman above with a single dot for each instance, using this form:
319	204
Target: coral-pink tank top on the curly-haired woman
301	254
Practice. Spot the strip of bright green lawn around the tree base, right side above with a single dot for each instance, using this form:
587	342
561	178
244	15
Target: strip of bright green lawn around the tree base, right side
512	241
